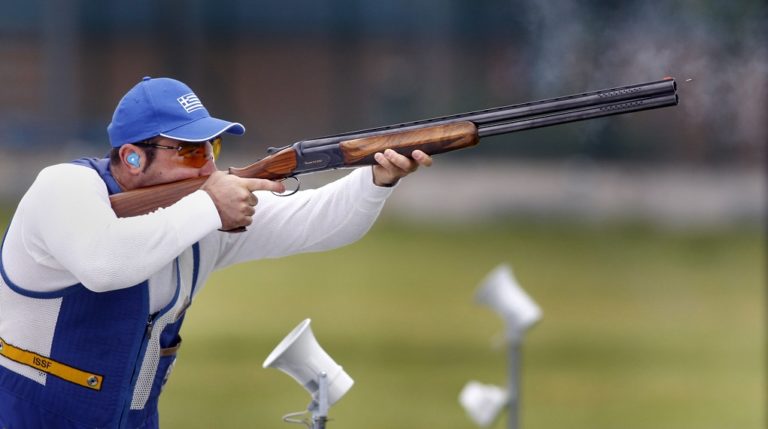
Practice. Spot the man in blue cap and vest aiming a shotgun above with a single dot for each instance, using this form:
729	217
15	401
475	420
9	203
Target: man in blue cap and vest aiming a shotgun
91	304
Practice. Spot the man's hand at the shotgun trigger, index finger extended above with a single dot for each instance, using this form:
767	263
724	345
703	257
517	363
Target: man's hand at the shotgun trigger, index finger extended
234	198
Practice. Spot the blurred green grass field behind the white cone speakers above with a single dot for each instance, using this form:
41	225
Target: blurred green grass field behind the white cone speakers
641	328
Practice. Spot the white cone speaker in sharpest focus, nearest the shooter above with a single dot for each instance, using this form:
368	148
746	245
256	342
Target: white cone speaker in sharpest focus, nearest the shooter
300	356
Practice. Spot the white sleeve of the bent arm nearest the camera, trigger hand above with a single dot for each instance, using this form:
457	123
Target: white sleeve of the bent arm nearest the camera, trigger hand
67	224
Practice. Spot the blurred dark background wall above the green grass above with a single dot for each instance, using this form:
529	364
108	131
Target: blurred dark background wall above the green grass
307	68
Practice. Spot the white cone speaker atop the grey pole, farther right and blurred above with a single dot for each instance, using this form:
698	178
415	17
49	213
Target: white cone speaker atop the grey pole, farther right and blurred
501	292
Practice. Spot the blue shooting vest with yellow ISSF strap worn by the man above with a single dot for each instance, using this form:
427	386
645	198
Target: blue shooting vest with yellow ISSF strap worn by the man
110	335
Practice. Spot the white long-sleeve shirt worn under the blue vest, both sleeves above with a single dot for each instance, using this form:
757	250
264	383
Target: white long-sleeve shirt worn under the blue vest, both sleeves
64	231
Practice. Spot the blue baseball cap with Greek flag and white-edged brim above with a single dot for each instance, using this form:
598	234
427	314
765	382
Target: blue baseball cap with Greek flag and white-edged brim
164	107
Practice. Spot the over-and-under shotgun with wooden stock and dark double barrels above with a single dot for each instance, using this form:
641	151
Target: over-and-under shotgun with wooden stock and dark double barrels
433	136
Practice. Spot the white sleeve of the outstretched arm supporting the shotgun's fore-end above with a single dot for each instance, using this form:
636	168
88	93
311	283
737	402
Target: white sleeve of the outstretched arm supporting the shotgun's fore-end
331	216
